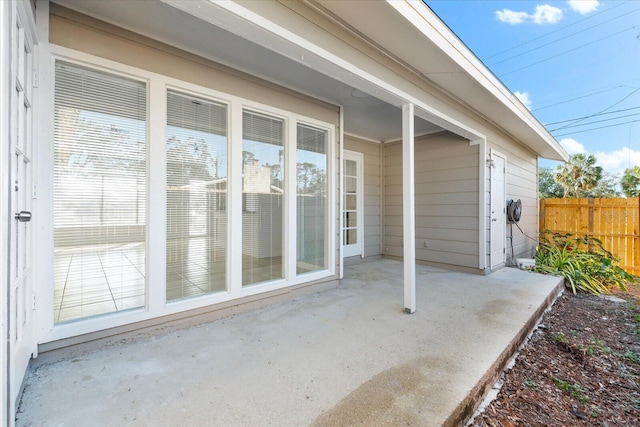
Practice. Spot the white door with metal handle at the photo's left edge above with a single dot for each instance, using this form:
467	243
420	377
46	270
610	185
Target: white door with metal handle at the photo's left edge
21	299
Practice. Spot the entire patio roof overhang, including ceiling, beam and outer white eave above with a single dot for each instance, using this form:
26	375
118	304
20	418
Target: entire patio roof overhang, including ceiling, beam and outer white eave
245	35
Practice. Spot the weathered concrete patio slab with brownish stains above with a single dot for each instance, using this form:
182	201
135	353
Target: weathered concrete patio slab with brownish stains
345	356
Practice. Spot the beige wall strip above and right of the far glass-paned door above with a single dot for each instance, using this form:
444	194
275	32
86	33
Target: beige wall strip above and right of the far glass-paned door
372	192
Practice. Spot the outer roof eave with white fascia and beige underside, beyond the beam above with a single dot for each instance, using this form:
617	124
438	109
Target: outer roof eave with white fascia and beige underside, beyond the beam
442	58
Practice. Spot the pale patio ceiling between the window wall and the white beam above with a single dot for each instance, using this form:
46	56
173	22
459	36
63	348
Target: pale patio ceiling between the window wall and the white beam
365	115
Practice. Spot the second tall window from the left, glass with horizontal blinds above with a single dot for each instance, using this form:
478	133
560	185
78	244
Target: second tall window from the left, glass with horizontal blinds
196	151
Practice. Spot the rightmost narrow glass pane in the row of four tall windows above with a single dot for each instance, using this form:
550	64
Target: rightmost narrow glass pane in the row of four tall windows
311	199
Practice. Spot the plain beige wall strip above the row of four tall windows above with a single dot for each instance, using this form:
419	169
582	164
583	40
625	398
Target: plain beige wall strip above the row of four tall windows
72	30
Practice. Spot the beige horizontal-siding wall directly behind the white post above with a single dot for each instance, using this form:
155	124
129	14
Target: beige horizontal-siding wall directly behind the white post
446	173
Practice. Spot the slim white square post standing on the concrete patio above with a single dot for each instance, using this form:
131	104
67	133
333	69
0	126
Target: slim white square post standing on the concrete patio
408	208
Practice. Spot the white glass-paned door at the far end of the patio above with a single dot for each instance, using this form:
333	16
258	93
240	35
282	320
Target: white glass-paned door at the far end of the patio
352	204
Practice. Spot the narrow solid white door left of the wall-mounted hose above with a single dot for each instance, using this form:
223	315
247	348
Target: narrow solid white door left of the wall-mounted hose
498	209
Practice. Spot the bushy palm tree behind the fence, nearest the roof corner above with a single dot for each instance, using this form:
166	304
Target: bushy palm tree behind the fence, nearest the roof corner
579	175
